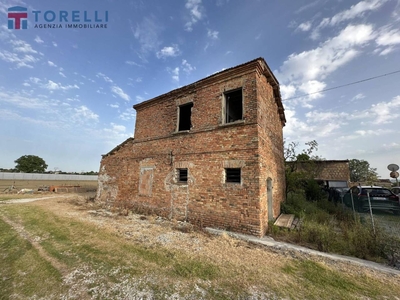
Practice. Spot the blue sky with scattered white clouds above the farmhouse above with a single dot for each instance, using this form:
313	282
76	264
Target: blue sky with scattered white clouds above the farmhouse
66	94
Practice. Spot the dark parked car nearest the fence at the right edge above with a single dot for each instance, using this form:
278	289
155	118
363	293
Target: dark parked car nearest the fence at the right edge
381	199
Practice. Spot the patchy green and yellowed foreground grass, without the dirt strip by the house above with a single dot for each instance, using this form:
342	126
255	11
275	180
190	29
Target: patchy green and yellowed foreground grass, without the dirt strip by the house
98	264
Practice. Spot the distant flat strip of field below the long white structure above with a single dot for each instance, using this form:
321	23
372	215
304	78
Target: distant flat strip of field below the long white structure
35	184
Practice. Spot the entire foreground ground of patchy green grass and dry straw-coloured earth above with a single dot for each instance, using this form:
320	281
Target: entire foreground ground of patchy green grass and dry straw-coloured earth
63	249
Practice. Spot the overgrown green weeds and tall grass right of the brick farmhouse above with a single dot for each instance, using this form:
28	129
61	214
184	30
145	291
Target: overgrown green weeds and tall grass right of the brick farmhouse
329	227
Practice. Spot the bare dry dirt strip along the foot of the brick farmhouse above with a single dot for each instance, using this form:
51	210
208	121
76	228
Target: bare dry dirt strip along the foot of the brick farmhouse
153	231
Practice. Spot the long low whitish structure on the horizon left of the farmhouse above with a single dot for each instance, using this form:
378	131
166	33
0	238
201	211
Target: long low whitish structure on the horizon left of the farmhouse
34	176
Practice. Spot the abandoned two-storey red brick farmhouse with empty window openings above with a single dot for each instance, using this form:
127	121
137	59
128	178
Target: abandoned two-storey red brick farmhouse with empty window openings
210	153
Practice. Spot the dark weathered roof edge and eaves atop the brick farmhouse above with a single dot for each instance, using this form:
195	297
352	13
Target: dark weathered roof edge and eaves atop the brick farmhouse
264	70
